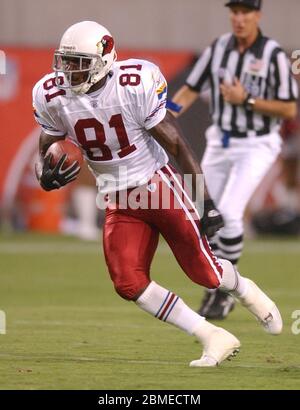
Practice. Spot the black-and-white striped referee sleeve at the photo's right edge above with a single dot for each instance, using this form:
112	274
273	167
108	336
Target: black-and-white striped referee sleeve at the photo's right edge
286	88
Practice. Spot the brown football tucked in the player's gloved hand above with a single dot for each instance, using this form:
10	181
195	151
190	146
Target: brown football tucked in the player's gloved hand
57	149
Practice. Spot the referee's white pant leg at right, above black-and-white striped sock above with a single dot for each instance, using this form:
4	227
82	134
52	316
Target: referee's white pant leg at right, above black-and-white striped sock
250	163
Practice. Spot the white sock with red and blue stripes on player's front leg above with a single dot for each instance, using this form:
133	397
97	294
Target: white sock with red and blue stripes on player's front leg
168	307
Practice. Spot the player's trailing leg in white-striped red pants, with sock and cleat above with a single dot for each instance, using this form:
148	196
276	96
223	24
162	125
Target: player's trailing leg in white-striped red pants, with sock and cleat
193	253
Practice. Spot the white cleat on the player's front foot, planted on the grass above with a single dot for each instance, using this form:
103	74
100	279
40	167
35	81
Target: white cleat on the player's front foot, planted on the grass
221	345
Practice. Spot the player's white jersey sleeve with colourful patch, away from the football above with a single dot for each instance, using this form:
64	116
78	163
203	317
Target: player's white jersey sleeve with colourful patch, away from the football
152	97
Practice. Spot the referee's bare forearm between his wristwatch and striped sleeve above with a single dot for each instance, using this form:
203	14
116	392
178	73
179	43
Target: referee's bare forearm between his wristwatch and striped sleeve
282	109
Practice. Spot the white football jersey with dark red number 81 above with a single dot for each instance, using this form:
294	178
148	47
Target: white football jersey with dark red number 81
110	125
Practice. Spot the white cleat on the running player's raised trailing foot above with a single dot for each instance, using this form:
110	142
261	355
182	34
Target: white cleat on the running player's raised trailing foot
263	308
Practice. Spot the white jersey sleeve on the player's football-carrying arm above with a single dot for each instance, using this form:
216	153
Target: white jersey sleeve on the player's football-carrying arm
44	113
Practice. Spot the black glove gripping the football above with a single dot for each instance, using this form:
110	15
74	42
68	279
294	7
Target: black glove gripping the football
56	177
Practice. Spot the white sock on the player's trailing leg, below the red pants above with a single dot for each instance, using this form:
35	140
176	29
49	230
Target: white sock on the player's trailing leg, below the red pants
232	281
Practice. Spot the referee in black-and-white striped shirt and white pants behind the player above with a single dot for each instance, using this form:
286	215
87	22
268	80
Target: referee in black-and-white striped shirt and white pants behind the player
252	90
